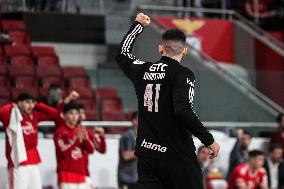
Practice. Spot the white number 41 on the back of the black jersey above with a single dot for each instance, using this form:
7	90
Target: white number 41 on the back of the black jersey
148	97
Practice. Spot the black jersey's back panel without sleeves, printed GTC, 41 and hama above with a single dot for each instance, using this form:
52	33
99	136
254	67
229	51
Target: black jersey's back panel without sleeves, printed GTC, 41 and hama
159	133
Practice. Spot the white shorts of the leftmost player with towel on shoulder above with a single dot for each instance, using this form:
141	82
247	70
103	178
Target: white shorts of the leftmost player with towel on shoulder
24	177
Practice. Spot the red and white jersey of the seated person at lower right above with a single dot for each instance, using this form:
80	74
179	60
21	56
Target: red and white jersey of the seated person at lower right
242	176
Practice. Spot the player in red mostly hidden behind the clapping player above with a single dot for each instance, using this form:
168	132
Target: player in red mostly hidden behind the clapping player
97	136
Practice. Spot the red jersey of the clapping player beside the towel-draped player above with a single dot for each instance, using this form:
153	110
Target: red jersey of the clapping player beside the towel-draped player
70	152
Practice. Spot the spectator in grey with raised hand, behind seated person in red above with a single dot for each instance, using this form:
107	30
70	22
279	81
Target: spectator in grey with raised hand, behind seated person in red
239	154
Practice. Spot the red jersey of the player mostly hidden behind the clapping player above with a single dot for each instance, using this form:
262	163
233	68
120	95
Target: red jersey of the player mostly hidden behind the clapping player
100	146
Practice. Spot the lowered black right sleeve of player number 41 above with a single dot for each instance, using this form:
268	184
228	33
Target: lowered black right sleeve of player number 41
183	93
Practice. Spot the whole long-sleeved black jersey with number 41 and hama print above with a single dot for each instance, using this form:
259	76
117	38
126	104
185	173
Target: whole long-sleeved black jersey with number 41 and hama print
165	92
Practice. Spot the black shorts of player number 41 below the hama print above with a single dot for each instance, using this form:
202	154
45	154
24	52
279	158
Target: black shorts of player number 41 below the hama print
167	174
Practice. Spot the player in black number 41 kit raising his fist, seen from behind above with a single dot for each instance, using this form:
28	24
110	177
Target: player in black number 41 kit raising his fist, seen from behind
165	91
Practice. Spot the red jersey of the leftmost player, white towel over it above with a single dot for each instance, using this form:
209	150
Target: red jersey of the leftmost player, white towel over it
29	125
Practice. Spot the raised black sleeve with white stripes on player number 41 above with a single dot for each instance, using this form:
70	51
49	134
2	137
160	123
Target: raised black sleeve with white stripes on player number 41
127	61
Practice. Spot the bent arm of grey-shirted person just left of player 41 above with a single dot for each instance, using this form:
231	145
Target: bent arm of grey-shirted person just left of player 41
125	149
